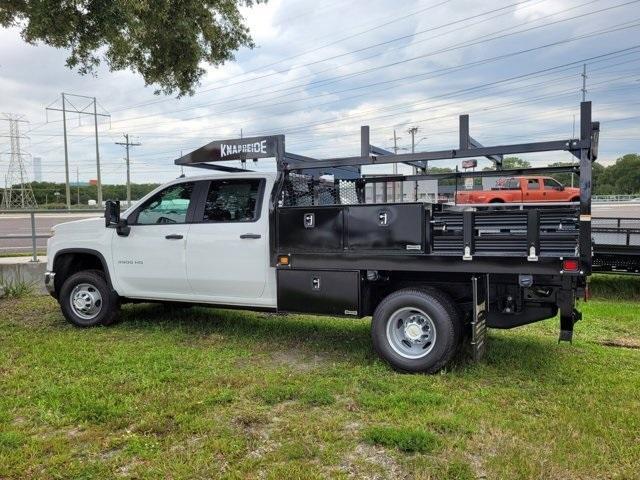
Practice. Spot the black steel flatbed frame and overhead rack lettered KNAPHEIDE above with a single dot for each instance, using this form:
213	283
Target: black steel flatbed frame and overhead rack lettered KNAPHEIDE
472	260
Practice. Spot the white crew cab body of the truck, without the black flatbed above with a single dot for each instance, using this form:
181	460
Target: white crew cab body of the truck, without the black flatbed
202	239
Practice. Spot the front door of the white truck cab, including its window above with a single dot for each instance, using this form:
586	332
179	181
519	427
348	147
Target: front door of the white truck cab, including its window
150	261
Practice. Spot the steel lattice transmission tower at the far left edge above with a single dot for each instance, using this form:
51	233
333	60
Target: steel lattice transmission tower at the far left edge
17	190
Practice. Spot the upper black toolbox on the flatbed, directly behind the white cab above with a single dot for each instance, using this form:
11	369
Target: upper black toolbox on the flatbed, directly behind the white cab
310	229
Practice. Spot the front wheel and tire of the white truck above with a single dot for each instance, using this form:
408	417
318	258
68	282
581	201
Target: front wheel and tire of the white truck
96	304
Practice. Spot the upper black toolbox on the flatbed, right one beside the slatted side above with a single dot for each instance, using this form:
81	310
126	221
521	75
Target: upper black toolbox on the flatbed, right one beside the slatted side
386	227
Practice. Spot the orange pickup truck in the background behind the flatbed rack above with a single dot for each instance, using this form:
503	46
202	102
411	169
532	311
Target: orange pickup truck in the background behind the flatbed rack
520	190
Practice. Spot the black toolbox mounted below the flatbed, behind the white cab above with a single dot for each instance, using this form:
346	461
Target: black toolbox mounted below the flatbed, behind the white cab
319	291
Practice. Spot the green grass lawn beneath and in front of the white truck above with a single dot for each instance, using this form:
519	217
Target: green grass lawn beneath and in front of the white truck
228	394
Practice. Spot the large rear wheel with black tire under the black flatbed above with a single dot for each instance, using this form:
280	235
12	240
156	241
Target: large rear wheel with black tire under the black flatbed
417	330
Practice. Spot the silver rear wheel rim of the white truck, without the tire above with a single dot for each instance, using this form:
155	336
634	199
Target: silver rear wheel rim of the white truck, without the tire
411	333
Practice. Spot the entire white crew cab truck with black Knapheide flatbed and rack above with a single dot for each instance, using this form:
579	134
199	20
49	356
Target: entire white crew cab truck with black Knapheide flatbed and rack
306	239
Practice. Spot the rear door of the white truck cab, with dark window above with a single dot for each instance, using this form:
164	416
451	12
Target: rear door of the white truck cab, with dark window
227	253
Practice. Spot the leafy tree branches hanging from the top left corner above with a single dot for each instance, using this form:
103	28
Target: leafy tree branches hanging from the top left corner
165	41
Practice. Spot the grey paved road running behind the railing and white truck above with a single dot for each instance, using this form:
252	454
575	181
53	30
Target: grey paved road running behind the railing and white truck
20	224
